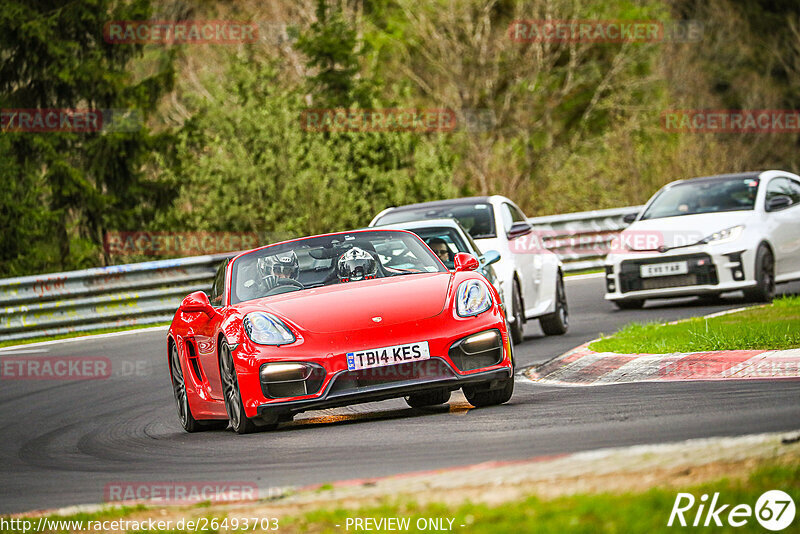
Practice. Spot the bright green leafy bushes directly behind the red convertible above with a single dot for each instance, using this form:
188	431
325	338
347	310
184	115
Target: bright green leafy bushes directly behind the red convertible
248	165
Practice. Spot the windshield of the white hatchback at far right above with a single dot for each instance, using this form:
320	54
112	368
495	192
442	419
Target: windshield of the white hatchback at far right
705	196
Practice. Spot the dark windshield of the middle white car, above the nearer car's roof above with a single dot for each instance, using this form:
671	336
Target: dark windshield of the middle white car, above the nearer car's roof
477	219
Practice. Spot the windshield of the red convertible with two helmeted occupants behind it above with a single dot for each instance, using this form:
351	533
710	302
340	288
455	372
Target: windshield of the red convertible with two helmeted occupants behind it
327	260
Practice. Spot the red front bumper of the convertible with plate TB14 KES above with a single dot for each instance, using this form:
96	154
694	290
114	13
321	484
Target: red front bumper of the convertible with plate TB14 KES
443	333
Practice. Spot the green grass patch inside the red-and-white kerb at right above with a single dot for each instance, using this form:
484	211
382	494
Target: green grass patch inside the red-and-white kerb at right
776	326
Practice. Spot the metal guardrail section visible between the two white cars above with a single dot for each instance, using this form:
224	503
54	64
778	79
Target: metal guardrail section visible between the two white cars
583	239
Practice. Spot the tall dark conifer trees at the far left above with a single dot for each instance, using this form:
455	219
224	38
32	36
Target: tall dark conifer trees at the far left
62	190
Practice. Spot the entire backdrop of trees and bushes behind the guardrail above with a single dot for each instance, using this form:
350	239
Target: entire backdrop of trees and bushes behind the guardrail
577	124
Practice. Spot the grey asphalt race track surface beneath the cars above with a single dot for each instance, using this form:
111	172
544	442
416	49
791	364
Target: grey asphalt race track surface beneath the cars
62	442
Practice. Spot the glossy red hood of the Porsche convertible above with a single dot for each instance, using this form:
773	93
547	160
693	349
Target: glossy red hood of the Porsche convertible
353	306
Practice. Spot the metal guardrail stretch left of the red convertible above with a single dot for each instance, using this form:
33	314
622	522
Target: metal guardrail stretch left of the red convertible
106	297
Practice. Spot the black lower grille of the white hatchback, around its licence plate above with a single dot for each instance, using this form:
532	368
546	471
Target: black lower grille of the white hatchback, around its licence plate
701	272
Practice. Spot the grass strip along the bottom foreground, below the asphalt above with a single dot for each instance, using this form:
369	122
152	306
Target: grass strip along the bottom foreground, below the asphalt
645	512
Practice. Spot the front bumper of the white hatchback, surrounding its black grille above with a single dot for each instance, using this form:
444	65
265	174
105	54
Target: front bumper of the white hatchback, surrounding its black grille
711	270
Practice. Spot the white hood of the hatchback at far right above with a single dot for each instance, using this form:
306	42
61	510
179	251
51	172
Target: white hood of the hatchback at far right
650	234
